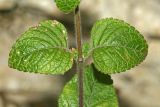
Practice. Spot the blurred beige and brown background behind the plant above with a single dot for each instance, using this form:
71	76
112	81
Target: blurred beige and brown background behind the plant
139	87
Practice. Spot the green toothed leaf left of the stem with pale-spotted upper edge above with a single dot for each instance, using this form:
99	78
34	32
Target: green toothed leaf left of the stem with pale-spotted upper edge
42	49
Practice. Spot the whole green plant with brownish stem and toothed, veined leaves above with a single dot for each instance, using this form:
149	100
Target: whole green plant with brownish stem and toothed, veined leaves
115	46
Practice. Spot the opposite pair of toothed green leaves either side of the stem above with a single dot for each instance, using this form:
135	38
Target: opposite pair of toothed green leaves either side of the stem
115	47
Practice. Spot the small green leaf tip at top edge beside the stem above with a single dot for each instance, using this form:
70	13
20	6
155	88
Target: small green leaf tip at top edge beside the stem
67	6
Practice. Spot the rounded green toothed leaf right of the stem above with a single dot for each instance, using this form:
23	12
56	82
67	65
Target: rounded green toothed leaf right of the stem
117	46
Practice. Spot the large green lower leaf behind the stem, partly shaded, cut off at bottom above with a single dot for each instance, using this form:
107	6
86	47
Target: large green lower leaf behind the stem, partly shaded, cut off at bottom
98	91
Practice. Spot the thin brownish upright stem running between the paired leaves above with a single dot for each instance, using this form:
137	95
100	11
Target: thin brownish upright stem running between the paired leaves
80	57
